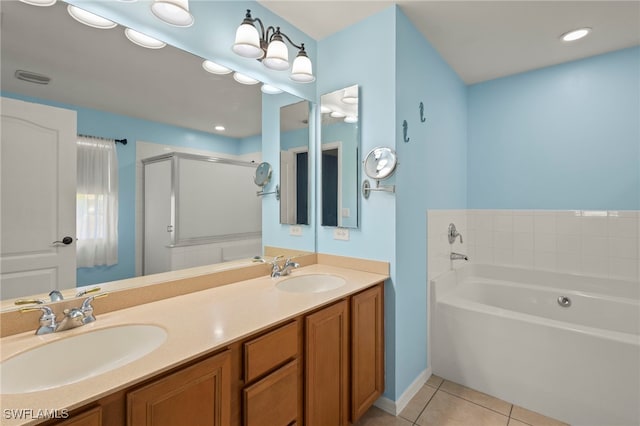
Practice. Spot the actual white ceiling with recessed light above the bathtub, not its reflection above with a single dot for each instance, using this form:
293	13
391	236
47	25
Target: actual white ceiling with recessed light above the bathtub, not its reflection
483	40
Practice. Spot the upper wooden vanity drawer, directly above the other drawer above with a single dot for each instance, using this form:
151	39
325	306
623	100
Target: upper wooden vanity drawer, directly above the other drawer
269	351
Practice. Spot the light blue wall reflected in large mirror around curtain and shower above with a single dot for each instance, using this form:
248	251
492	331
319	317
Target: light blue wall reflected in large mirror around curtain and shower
103	124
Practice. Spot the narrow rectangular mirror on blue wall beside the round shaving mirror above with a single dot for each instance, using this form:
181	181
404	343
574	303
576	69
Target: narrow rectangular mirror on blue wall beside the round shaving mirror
340	144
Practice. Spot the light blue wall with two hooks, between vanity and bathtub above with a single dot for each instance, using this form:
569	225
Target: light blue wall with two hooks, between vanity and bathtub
431	174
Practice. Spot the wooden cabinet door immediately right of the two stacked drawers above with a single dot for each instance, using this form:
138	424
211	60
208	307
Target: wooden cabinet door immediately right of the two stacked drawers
326	366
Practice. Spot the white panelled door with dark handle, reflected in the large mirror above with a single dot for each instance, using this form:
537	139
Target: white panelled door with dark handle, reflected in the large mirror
38	198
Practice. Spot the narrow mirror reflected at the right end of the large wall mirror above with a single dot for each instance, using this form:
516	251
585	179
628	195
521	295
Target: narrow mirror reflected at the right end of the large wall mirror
294	164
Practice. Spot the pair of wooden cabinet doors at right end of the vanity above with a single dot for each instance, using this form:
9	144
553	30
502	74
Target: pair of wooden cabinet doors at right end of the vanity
344	359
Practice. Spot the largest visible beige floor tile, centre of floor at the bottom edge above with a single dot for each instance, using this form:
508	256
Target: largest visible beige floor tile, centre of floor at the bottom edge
448	410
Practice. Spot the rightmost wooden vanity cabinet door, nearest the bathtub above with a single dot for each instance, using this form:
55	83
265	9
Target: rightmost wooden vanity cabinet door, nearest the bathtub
367	349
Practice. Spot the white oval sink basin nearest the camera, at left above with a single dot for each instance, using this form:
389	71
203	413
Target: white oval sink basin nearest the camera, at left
78	357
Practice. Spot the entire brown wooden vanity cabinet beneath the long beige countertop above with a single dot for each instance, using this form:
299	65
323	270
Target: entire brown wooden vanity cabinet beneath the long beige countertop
319	369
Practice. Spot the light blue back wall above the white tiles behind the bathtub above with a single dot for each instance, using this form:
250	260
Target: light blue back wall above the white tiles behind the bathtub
563	137
